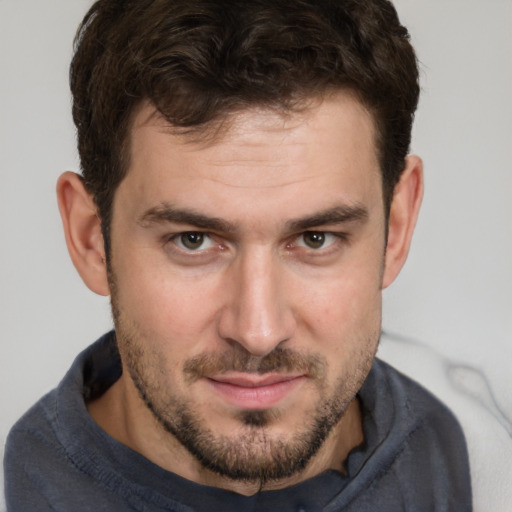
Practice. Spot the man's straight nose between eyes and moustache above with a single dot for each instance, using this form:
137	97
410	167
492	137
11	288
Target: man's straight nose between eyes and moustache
258	313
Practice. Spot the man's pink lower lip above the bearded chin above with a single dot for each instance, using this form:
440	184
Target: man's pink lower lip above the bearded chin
256	398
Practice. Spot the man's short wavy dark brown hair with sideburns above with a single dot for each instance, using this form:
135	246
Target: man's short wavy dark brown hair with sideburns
198	61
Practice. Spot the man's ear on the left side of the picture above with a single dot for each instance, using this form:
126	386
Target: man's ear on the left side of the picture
82	228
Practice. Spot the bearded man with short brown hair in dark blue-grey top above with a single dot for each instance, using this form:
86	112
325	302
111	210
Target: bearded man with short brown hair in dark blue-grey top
246	195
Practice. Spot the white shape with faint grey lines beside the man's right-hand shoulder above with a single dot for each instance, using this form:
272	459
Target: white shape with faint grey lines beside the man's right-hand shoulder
476	398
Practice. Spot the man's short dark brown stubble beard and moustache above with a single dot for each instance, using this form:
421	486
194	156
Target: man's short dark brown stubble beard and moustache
253	454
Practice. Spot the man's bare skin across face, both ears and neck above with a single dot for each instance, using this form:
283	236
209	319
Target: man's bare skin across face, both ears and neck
294	261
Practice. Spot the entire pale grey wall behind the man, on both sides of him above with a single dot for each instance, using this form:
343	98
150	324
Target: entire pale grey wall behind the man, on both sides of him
455	293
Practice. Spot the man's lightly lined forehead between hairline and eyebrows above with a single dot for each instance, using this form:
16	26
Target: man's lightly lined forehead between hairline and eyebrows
323	153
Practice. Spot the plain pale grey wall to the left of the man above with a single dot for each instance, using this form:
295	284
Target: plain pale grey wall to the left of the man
46	313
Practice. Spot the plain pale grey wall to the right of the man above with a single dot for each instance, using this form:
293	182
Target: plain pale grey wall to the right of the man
456	290
